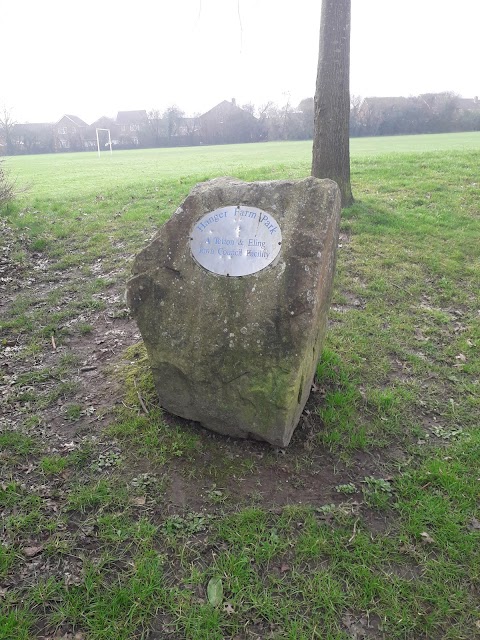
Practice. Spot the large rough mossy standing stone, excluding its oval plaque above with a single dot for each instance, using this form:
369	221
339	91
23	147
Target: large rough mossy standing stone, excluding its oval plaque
238	354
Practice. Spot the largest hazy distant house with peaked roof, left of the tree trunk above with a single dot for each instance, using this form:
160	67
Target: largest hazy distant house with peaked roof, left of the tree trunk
227	123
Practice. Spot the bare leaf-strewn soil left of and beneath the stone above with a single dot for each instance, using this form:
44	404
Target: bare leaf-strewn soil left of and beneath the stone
303	473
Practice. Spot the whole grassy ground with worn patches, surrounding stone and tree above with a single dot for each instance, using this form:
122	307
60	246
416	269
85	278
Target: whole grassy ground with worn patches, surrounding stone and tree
121	522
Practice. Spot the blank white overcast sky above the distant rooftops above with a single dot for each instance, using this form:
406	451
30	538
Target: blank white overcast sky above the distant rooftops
93	58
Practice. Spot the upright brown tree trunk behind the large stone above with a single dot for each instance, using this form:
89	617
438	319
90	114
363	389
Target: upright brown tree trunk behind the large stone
331	136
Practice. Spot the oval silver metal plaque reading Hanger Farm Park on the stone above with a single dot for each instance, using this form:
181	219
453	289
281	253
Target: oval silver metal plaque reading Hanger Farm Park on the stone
236	241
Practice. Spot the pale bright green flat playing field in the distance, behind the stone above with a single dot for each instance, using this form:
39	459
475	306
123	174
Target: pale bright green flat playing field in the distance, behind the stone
70	175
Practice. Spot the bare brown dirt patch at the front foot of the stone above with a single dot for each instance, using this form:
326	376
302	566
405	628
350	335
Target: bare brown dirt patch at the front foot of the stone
302	474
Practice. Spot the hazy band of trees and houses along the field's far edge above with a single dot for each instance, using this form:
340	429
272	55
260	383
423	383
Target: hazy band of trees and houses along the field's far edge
228	123
